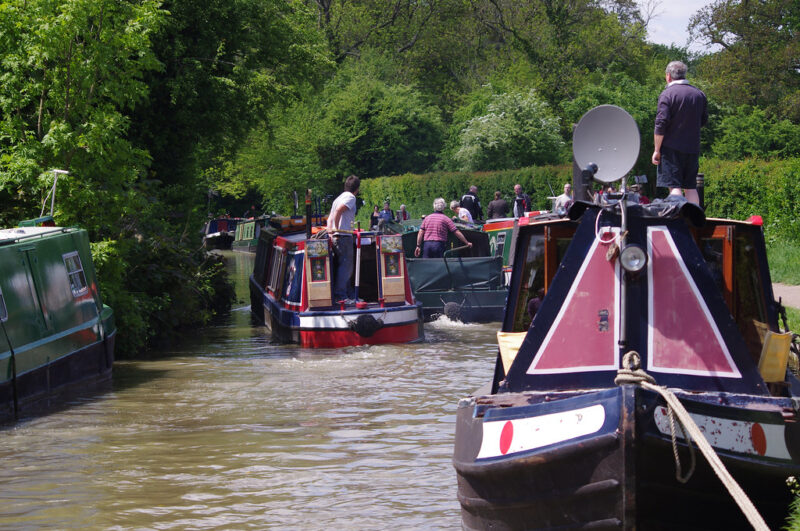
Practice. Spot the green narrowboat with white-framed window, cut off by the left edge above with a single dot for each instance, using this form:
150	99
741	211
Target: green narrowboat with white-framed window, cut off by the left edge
55	332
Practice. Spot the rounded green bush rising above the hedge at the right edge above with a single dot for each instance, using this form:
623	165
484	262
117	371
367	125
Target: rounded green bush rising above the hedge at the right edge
749	132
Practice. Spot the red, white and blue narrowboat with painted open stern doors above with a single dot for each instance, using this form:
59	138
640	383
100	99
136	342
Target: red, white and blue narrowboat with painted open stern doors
292	282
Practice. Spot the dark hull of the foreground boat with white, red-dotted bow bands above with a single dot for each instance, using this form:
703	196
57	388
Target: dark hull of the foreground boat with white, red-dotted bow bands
603	460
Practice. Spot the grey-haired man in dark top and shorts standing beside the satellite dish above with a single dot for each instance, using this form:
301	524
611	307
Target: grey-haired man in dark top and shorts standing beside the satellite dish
682	111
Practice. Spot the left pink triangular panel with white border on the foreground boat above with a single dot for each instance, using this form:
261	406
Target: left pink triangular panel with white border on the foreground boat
584	334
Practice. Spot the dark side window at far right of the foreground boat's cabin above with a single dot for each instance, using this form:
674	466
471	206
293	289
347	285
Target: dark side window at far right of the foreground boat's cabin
751	314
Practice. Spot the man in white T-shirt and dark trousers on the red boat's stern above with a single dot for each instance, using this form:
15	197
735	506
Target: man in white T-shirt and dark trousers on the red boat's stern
341	218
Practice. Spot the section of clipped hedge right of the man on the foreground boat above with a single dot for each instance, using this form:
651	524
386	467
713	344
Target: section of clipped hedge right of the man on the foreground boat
738	190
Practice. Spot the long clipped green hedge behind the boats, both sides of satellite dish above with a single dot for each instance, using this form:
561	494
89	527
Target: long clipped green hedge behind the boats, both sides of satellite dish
735	190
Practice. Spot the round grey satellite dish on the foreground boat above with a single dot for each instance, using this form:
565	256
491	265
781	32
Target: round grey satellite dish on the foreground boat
608	137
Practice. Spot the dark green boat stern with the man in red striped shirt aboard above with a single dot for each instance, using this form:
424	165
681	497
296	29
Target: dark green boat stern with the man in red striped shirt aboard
466	284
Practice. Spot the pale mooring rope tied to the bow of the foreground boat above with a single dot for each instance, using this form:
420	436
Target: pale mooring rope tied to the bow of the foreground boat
632	373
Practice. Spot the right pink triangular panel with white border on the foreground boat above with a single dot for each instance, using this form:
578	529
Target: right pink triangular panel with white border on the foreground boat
682	335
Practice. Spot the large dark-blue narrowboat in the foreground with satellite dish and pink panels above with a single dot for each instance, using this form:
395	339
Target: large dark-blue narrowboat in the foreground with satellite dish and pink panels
654	387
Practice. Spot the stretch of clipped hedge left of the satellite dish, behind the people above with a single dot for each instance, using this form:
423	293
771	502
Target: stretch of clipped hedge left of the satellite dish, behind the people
417	192
